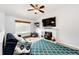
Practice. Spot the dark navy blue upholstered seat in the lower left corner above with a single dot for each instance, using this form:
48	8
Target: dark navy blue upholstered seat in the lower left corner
11	41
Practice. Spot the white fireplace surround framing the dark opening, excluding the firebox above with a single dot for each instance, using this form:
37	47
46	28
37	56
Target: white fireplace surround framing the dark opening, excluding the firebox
50	29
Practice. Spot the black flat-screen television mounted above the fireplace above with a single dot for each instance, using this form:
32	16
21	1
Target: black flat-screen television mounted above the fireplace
49	22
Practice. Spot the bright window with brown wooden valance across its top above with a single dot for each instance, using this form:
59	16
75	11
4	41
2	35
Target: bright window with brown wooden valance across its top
22	27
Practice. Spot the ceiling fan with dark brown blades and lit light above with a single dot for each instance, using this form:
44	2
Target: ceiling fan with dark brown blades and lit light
37	8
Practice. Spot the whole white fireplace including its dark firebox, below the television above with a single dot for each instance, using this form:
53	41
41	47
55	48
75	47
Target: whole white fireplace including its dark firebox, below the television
49	33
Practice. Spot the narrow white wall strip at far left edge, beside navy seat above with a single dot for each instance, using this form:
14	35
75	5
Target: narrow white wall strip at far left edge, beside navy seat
2	29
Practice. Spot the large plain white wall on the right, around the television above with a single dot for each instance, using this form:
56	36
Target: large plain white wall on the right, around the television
67	19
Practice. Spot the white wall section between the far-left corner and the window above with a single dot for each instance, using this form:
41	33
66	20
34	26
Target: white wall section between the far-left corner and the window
10	24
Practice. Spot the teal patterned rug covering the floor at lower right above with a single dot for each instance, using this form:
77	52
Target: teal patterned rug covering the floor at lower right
44	47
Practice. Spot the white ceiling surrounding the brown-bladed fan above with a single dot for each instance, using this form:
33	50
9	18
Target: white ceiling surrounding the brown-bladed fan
20	10
